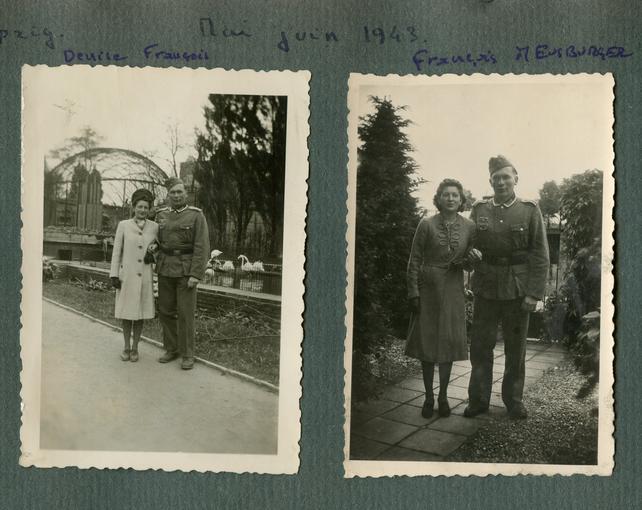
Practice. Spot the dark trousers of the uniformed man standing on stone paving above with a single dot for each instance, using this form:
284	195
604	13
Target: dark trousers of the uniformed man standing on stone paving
488	314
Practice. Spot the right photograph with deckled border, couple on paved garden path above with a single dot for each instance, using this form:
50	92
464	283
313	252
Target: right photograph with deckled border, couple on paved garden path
480	275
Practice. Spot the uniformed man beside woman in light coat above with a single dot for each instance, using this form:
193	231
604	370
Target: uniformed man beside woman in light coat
183	248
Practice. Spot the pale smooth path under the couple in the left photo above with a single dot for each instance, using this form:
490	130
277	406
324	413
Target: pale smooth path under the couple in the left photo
91	400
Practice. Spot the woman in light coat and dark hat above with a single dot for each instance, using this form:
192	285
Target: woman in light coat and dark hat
131	271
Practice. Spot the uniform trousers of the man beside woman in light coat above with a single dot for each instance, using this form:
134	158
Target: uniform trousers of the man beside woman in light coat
176	307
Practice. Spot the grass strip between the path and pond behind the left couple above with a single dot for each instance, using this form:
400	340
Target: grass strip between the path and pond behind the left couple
236	339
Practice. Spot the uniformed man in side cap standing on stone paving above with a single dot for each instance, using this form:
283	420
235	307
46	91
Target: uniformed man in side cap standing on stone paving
511	264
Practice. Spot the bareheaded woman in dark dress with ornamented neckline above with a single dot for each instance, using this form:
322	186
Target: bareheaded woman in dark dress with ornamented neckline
435	275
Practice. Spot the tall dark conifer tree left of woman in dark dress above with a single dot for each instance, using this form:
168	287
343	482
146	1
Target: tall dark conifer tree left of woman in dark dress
385	223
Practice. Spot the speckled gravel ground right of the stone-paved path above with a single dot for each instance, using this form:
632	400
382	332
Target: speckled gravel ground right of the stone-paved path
560	428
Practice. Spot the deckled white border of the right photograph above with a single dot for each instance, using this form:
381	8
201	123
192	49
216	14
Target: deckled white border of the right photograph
606	425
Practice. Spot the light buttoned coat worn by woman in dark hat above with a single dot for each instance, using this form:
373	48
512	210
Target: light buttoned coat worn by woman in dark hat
135	298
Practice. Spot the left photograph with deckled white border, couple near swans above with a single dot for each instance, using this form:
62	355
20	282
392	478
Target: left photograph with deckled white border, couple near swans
163	265
